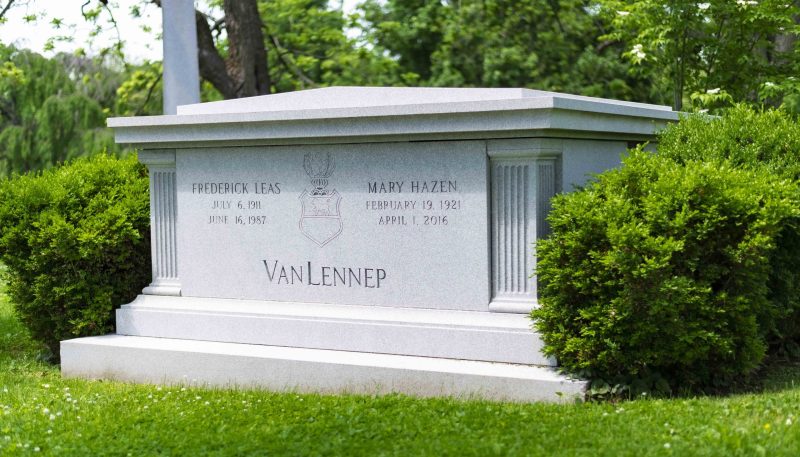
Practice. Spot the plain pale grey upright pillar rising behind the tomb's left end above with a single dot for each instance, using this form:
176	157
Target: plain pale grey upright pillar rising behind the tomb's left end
181	73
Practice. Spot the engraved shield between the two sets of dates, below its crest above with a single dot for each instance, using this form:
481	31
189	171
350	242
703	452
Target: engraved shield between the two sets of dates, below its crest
320	220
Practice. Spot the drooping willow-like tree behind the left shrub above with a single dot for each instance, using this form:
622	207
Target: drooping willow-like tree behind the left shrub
49	111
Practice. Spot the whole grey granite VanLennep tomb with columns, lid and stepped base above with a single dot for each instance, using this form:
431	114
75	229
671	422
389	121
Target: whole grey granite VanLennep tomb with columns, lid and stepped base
356	239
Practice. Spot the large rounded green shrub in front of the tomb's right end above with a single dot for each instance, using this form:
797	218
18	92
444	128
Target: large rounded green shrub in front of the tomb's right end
660	269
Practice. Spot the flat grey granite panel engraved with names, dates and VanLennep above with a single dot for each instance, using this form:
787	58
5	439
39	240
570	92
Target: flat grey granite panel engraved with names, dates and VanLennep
387	224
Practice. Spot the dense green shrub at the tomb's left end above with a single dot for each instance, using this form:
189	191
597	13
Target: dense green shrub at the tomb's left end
76	244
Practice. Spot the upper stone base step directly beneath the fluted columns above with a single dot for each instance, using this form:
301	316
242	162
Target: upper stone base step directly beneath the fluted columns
450	334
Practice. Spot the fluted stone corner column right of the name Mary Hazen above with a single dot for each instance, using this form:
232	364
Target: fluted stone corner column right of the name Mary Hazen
523	180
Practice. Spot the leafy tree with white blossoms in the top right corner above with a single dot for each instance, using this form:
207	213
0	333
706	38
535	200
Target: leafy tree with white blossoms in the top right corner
713	52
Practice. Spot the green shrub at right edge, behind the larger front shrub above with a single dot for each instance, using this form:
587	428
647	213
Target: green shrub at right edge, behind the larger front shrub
750	139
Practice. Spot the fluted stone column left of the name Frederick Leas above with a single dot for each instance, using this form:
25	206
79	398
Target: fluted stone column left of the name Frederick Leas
163	222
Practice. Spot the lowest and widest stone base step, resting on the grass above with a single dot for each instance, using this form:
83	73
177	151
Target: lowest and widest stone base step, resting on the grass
205	363
